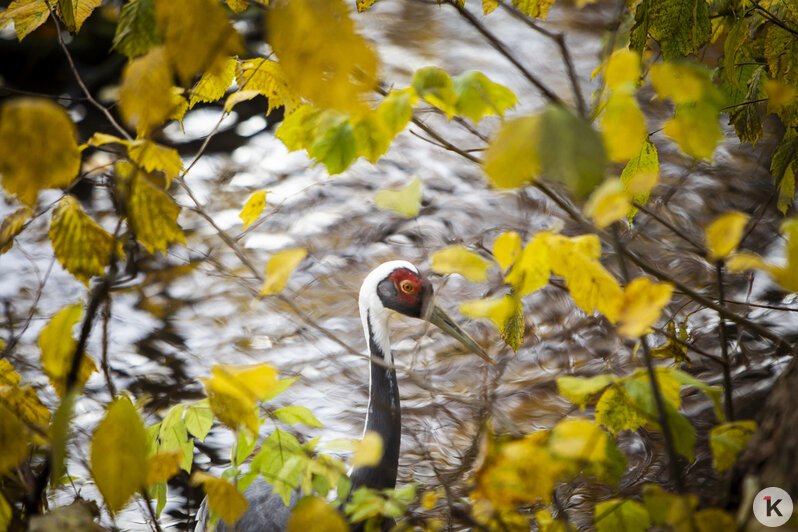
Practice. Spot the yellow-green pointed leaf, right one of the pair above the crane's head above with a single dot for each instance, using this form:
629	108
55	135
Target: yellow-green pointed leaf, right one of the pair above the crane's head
477	96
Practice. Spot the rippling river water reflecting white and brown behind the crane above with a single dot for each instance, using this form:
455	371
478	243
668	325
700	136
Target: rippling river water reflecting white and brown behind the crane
197	307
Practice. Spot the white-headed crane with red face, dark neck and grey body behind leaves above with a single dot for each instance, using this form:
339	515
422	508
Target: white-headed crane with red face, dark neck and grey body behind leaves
395	286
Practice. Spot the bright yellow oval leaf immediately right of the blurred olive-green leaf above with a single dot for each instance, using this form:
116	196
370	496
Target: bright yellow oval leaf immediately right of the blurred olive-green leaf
623	127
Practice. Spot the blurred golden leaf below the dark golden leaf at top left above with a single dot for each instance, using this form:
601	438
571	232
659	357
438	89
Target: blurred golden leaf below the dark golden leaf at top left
145	95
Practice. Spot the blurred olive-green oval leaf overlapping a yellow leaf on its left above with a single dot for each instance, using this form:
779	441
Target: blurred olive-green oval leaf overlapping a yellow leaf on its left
571	151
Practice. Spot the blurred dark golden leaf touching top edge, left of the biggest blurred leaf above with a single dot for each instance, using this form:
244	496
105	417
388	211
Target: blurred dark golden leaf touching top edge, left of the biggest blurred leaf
197	36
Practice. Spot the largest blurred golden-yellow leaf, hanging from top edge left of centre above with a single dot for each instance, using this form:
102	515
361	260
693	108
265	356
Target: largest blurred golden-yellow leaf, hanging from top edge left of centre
323	57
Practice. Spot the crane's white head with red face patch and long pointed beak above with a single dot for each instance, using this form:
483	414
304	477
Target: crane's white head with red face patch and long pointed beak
399	287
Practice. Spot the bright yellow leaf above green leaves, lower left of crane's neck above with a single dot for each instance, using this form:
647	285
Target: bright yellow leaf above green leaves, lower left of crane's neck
234	390
